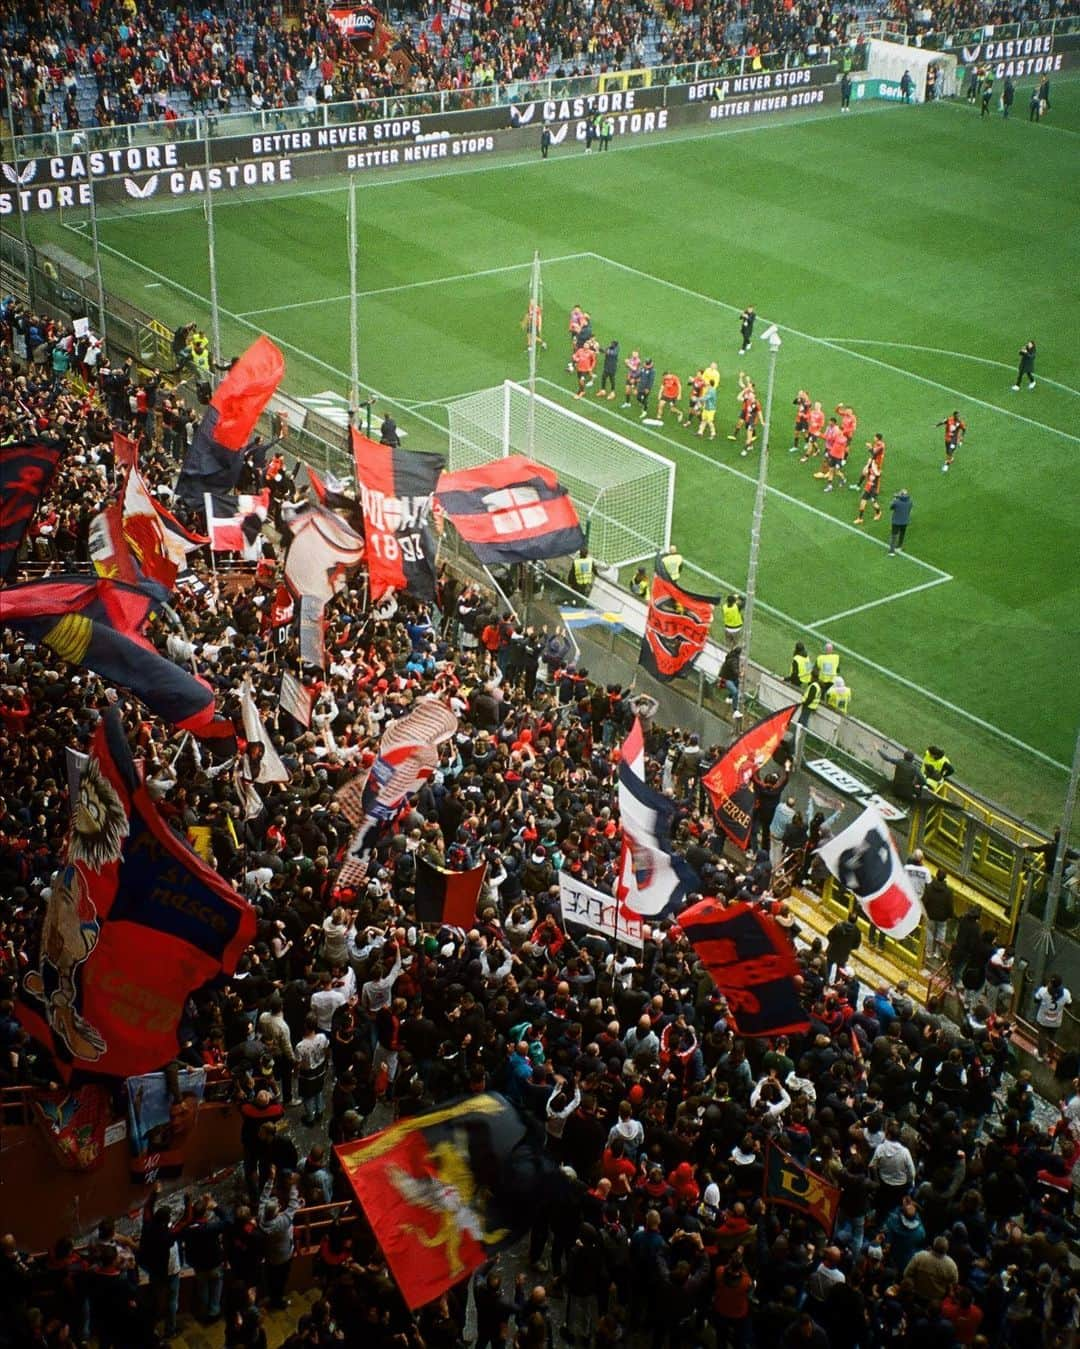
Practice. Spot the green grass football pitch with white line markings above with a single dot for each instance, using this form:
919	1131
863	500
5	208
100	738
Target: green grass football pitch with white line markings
905	254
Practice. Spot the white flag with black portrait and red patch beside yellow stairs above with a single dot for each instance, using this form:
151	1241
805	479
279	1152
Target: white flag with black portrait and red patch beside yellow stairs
865	861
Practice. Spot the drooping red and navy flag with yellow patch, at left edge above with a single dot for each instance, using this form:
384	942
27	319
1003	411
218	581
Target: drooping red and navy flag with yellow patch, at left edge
100	625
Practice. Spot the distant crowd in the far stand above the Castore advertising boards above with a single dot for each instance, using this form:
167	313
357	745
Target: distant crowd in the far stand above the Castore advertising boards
242	57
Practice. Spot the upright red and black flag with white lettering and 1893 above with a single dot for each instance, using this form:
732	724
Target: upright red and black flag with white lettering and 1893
397	489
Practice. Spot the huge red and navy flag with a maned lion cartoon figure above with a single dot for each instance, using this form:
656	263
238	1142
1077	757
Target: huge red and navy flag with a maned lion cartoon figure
134	925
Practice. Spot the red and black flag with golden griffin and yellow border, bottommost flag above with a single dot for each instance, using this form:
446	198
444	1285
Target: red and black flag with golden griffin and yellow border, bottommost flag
446	1190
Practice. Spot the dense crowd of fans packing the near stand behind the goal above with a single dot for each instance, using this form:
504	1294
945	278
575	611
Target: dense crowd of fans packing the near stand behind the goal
957	1200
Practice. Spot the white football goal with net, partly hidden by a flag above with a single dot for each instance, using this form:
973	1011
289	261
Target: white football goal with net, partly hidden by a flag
624	493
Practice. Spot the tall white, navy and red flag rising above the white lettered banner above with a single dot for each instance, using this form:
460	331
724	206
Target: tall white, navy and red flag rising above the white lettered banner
653	879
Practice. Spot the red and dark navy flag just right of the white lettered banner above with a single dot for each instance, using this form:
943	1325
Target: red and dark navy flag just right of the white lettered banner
753	964
